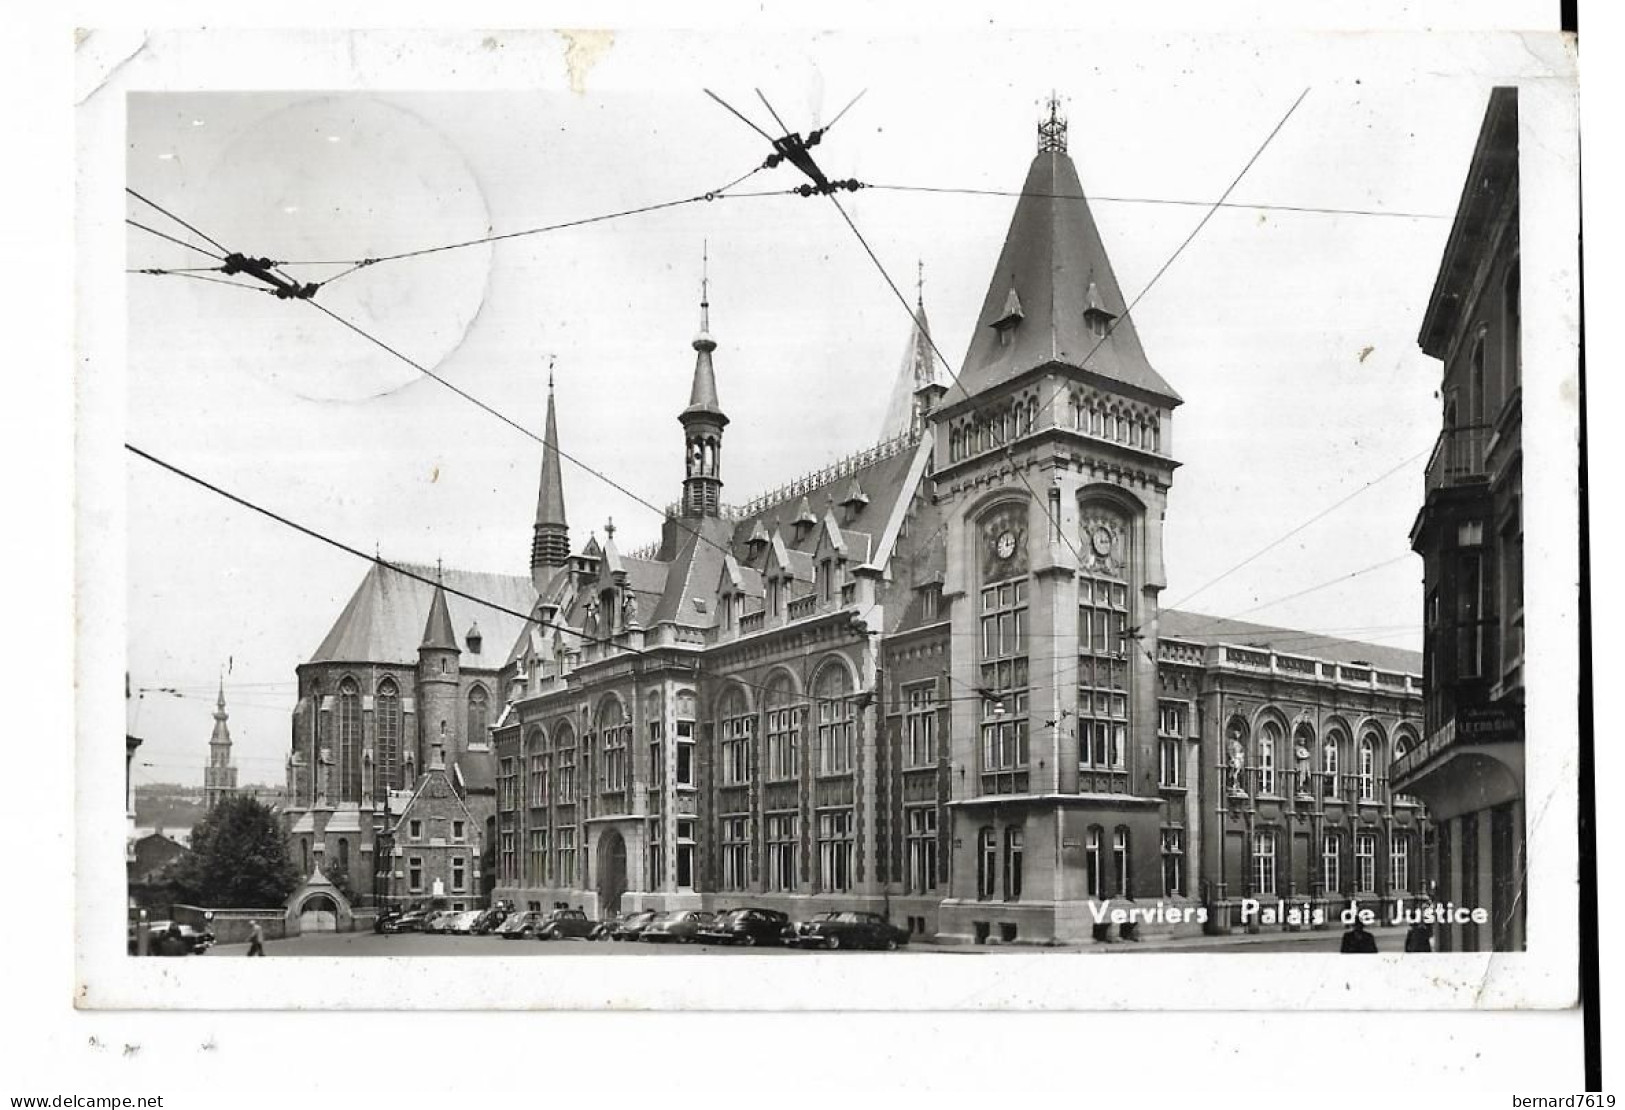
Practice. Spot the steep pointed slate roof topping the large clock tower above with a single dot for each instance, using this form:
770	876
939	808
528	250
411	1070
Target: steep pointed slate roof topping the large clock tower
1054	267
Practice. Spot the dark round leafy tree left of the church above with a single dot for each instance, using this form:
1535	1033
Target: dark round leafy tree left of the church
240	859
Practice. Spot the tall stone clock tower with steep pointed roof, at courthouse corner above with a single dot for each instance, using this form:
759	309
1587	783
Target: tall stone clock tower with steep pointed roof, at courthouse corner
1054	469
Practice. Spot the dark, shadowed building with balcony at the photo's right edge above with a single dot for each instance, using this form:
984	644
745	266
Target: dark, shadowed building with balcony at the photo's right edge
1470	768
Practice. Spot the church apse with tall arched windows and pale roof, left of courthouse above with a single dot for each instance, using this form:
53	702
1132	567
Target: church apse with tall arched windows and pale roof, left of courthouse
392	690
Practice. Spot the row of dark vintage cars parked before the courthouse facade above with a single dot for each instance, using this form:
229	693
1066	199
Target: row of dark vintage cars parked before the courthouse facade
743	927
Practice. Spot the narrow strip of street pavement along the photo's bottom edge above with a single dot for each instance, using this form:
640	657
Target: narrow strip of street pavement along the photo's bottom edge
420	945
